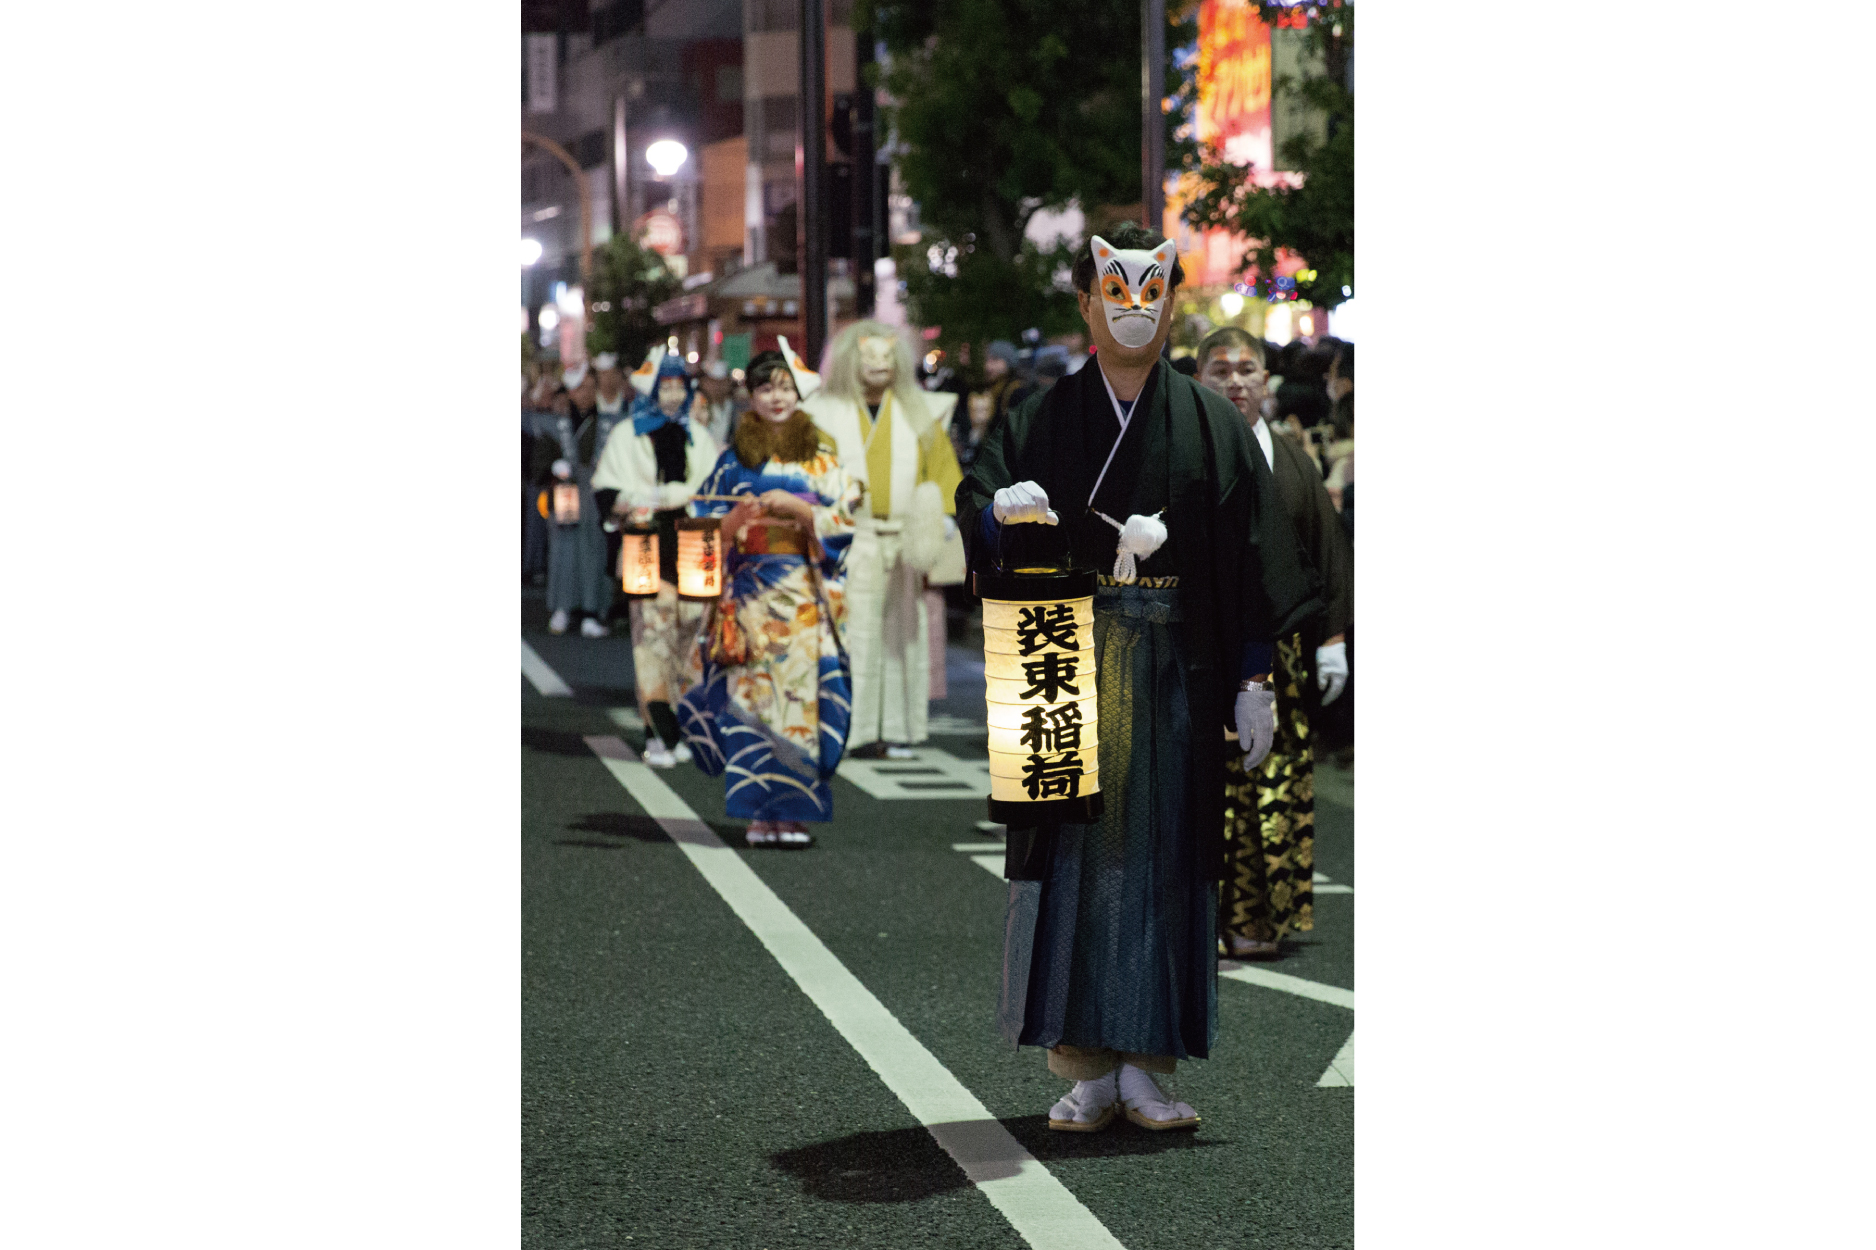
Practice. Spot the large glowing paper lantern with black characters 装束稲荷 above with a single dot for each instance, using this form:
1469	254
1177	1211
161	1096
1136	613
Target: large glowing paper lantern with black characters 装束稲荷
1038	673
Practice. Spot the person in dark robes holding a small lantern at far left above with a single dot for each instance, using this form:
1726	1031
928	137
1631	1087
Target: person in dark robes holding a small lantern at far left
577	551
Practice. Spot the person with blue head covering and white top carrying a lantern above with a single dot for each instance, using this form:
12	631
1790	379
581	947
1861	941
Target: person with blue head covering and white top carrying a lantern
646	478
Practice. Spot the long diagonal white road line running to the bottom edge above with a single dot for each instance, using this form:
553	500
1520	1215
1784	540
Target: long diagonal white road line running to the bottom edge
1035	1202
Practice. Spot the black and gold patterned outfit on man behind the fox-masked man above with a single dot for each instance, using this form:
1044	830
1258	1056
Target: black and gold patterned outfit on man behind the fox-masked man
1271	814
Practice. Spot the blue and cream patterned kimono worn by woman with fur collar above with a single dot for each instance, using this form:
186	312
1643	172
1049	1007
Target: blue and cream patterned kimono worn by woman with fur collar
776	725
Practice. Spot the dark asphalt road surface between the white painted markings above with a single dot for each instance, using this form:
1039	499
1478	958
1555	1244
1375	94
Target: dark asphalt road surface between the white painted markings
682	1090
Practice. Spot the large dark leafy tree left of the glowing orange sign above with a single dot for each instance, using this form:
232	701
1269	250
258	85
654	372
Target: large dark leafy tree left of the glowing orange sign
1005	108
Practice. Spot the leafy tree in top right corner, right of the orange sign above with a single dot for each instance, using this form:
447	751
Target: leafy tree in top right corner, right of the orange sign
1316	219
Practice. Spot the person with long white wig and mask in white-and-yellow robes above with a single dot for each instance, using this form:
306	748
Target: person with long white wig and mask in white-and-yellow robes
894	438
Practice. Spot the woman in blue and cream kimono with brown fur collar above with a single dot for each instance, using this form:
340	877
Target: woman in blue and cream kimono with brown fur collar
776	686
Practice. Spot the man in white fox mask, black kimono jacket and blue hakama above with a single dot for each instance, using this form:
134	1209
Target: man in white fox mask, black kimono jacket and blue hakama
1110	949
